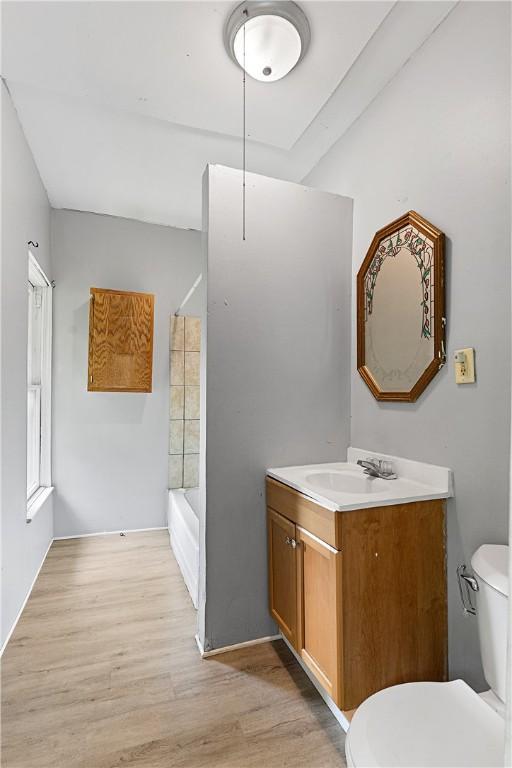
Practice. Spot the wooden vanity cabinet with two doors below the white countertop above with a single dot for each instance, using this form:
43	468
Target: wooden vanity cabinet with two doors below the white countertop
360	595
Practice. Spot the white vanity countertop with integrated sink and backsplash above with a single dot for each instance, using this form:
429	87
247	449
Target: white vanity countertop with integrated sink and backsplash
343	485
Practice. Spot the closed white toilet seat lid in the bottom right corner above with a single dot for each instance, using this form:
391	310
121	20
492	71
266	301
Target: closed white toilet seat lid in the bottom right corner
426	724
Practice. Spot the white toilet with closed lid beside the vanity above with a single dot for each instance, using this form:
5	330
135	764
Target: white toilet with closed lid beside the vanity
434	725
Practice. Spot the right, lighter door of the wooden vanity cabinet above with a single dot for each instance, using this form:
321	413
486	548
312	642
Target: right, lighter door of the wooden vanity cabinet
319	621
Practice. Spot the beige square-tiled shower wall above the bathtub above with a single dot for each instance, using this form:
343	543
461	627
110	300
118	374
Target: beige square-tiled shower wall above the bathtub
185	350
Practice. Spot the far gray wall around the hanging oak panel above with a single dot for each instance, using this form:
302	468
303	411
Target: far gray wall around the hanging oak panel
110	449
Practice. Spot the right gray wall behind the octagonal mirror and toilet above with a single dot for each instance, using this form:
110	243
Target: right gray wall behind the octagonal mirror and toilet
437	141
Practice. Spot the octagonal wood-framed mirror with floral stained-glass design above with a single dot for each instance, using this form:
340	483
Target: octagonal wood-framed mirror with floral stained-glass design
400	309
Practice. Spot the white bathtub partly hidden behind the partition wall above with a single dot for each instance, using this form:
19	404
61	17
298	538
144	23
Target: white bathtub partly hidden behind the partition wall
183	524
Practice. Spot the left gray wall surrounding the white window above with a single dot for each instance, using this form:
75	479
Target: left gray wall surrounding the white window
25	216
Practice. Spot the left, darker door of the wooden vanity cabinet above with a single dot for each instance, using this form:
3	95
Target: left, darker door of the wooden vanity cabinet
282	574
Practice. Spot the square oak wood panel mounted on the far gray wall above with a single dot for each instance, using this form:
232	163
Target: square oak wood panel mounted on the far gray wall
120	341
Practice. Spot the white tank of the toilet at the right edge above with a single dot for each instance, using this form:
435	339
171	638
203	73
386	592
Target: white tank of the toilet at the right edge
490	565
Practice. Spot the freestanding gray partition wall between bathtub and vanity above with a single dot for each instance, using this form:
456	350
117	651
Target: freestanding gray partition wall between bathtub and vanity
277	389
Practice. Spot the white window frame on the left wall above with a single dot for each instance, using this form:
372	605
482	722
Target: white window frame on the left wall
38	280
